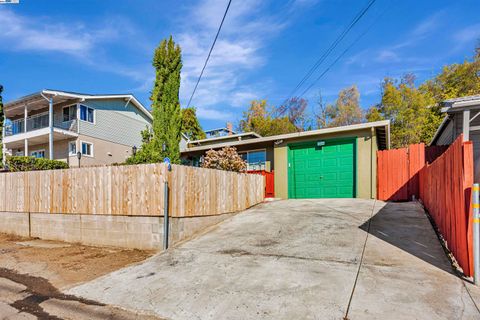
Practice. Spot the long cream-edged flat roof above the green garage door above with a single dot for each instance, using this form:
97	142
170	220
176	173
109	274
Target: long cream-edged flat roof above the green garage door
385	140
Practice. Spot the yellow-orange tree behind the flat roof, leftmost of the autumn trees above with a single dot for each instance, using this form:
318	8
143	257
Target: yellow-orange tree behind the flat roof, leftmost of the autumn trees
265	121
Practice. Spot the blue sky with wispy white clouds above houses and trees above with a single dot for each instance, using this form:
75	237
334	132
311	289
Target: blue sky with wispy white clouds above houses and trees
263	51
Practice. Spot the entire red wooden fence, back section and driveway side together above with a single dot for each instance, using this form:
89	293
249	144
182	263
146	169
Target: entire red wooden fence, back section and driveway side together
442	177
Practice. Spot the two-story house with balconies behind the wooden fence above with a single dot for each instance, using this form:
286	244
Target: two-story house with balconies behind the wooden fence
58	125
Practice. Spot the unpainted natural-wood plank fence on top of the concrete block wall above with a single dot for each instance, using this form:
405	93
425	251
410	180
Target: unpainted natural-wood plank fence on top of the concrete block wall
130	190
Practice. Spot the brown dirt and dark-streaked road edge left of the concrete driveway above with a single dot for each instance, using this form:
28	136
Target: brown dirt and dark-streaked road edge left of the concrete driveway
33	274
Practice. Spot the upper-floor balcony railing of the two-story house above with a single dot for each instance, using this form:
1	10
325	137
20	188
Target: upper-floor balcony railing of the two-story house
38	121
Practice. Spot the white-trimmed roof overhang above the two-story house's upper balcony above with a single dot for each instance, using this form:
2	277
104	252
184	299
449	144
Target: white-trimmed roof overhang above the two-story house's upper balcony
37	101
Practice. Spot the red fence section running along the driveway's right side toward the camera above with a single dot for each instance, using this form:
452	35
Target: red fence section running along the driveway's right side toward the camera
445	189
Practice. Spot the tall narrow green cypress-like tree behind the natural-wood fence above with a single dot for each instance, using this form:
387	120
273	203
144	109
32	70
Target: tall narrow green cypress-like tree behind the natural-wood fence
166	126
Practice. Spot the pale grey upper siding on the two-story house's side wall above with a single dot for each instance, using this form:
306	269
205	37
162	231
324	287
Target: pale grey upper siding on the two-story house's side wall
114	122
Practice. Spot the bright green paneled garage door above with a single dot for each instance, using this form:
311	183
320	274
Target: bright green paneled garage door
322	171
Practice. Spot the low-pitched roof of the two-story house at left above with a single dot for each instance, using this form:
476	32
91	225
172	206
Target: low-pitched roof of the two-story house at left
61	96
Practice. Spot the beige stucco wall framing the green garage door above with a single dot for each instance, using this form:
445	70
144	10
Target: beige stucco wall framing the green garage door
366	162
